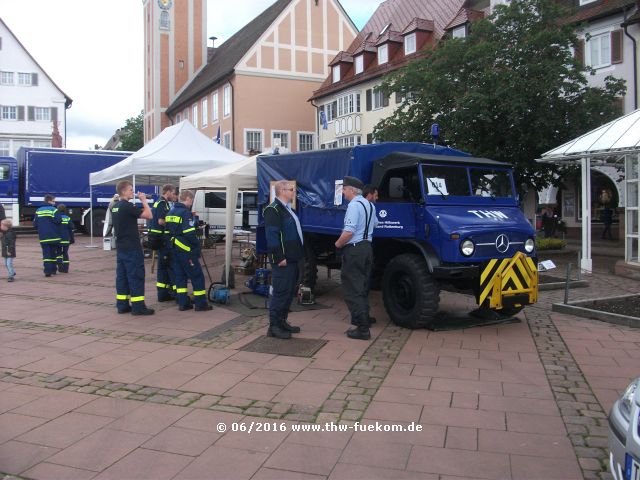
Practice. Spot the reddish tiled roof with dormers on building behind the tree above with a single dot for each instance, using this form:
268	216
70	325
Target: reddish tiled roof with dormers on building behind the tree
398	14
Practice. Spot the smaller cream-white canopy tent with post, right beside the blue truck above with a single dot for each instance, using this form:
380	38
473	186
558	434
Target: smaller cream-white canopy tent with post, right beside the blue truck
233	177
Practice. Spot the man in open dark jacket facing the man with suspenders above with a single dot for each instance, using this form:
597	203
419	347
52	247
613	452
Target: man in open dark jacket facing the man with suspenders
284	248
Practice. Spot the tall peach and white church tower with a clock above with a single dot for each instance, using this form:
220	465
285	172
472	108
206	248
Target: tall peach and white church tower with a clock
174	52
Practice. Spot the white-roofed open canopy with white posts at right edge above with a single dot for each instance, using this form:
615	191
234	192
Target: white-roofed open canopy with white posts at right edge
617	142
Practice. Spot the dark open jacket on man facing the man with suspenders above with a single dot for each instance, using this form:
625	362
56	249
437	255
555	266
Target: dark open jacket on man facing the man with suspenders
283	241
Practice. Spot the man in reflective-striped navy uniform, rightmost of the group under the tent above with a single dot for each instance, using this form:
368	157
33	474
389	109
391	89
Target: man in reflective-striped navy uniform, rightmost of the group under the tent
186	254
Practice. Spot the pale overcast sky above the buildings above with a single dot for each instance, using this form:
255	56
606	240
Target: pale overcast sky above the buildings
92	49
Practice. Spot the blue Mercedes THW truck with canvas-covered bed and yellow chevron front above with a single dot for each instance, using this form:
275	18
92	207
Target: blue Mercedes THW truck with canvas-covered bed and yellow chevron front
447	220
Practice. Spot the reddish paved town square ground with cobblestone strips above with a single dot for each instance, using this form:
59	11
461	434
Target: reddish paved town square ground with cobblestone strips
87	393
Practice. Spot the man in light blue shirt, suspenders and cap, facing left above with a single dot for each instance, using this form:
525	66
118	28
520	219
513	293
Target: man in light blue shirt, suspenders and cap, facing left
357	256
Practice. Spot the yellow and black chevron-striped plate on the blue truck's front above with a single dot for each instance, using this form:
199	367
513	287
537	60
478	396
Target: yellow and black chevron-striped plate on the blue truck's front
508	282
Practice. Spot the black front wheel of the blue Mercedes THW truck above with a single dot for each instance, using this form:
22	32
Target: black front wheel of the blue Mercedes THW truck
411	295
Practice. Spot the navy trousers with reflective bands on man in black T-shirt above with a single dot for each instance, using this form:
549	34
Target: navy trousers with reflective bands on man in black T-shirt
130	280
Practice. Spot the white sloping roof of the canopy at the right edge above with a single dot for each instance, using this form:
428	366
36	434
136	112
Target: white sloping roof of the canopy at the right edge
616	137
